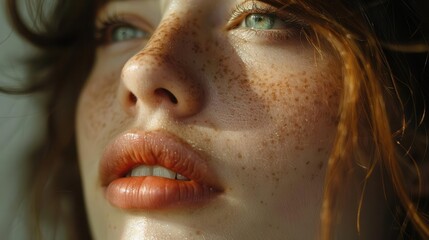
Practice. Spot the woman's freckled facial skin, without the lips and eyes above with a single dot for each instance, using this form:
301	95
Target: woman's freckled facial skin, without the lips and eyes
265	114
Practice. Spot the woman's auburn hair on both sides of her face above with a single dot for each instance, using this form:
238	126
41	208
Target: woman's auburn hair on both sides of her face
381	45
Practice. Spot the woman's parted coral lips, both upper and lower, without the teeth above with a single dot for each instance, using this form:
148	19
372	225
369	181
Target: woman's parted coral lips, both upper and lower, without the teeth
136	148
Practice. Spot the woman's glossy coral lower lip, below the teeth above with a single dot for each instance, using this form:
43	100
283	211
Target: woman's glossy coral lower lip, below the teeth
151	192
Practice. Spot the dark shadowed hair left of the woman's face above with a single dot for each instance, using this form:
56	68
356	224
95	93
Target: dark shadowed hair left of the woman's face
64	58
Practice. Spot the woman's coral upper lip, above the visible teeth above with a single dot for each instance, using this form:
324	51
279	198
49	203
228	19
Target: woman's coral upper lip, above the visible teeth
135	148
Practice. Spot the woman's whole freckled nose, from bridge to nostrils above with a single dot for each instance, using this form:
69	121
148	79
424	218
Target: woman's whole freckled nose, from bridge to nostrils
160	76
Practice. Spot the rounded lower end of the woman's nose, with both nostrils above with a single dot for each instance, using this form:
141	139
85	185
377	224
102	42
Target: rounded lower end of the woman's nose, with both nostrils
148	84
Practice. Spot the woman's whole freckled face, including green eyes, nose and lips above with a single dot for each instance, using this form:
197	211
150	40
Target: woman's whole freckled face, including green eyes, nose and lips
227	95
